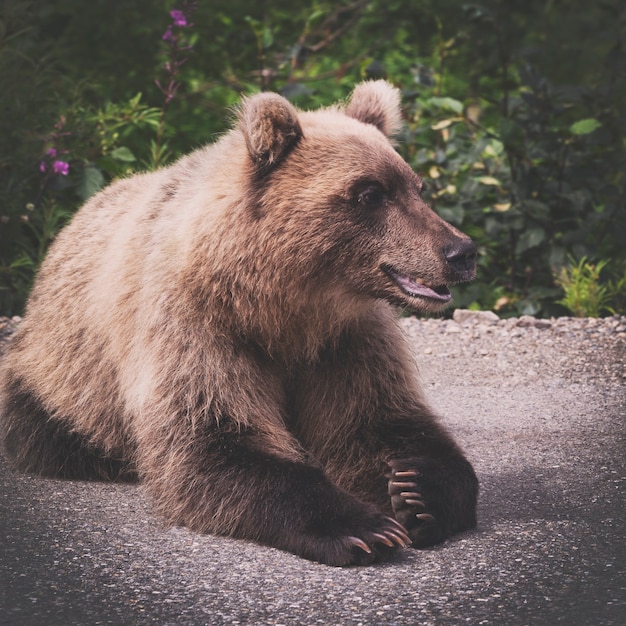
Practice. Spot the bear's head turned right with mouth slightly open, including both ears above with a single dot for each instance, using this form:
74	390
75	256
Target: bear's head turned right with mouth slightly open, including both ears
344	210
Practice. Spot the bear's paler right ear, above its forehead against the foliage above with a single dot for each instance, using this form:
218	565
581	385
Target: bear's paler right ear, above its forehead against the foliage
376	102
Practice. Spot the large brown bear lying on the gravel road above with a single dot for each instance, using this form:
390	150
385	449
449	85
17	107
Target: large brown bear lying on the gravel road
223	329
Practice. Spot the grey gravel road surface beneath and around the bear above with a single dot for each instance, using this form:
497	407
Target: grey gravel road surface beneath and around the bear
540	408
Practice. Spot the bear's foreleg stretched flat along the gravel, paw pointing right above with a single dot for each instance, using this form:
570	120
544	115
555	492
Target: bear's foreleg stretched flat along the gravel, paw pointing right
221	480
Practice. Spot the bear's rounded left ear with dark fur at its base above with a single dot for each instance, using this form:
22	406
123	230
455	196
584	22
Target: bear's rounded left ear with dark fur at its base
270	126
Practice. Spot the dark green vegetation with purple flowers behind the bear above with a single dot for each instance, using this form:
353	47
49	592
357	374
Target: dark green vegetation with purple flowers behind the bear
515	115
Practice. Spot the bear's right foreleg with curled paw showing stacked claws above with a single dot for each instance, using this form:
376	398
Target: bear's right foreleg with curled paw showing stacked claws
359	410
